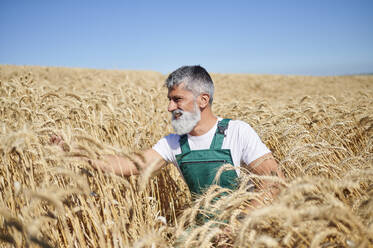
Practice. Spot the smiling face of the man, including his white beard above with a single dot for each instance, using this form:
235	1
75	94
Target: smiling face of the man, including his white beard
184	109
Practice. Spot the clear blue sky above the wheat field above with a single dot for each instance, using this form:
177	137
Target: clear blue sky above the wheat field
329	37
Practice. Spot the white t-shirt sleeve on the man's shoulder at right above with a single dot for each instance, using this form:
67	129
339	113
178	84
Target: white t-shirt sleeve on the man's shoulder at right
253	147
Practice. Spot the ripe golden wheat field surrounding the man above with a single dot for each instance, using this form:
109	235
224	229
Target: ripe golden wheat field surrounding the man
320	130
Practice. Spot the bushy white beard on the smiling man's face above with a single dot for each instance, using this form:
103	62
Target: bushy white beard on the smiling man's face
187	121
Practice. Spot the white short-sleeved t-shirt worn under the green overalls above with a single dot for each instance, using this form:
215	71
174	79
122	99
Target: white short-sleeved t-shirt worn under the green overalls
241	139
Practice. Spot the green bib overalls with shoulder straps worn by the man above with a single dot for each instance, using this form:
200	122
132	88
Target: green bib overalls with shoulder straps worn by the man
199	167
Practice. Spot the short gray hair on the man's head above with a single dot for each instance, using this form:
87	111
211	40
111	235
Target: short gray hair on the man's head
195	78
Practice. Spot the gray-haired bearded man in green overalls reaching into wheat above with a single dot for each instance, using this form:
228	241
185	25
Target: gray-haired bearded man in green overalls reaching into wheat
202	142
